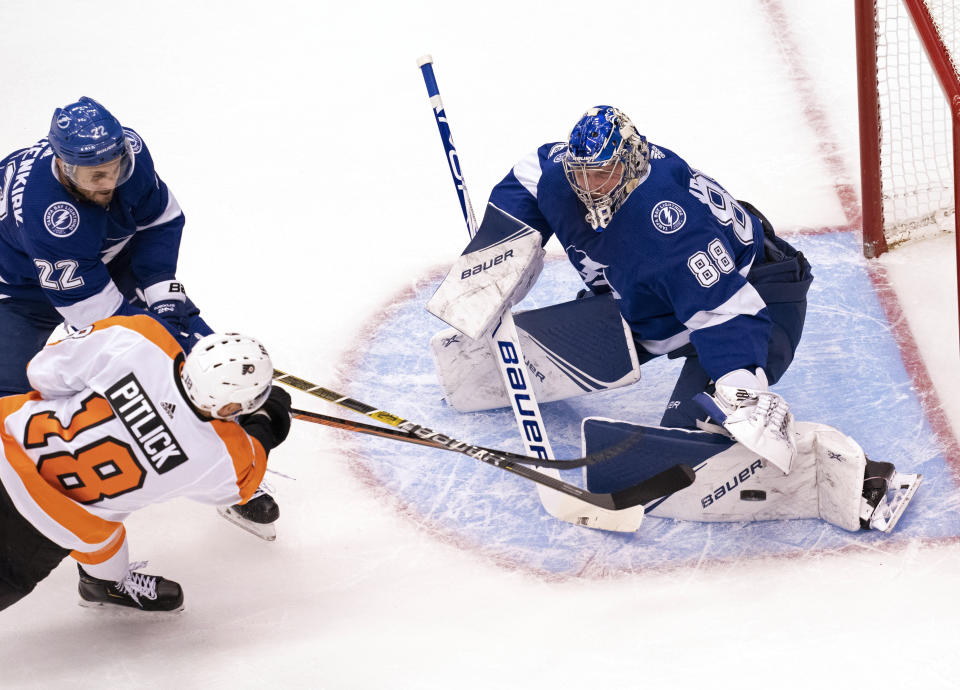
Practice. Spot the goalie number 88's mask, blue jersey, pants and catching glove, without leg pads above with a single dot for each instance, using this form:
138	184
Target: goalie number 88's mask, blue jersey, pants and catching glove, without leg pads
695	273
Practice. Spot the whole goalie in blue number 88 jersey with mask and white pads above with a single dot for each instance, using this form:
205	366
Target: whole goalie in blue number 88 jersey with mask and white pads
673	265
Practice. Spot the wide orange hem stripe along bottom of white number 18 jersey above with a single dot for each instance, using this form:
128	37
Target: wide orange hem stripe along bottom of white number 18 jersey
70	515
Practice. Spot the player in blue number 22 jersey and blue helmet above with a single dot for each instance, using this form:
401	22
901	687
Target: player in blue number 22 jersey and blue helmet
88	230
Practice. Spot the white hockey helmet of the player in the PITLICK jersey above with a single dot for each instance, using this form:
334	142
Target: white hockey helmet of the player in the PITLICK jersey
225	368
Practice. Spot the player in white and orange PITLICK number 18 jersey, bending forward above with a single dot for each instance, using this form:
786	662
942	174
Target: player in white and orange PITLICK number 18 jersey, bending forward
120	419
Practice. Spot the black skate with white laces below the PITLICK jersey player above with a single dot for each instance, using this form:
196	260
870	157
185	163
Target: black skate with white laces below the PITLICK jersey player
136	591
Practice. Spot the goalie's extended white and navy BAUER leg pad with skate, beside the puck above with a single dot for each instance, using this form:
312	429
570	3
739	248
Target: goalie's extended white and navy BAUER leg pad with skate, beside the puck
831	477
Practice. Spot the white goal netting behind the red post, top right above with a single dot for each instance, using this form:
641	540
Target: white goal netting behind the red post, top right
916	131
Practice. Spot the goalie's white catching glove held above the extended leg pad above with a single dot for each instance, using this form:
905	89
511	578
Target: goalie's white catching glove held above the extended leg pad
754	416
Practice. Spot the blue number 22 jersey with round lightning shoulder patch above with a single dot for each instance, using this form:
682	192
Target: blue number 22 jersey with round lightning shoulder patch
56	247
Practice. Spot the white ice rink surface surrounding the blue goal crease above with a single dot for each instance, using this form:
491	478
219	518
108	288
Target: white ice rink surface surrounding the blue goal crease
298	139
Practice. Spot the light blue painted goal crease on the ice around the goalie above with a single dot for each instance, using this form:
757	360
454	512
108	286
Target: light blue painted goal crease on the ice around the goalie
847	373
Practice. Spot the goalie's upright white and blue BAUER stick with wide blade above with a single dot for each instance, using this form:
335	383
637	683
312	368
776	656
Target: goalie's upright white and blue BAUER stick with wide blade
504	343
